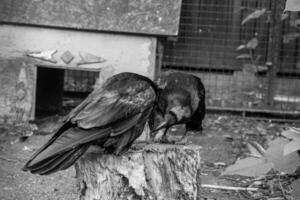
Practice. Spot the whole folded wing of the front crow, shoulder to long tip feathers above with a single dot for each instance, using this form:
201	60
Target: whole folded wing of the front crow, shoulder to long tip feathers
100	116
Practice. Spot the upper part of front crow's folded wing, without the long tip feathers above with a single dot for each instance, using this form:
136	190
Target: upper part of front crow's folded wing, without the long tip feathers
106	107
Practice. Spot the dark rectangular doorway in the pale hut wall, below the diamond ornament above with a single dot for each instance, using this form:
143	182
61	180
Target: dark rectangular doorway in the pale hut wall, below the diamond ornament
60	90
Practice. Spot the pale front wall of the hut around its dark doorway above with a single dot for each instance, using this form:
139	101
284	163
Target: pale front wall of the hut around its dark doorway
122	53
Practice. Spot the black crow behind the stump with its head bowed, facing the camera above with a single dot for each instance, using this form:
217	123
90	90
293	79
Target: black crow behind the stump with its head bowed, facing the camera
181	100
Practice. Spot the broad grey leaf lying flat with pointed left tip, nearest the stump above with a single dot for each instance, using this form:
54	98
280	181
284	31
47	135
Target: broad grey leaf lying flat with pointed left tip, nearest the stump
249	167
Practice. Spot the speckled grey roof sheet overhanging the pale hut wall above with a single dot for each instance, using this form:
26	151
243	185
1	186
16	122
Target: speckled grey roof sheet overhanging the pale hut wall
155	17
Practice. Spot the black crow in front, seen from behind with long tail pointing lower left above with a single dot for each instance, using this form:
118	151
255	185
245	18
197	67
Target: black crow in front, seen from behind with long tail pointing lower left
112	116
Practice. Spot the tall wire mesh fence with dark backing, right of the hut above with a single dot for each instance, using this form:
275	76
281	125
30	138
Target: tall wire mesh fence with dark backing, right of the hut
245	51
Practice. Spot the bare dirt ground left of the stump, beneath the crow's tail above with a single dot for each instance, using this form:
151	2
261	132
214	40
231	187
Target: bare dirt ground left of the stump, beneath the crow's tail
18	185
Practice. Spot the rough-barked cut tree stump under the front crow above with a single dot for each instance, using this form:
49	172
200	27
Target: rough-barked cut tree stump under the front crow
156	172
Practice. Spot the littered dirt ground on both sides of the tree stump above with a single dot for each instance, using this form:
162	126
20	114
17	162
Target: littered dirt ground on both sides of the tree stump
223	142
